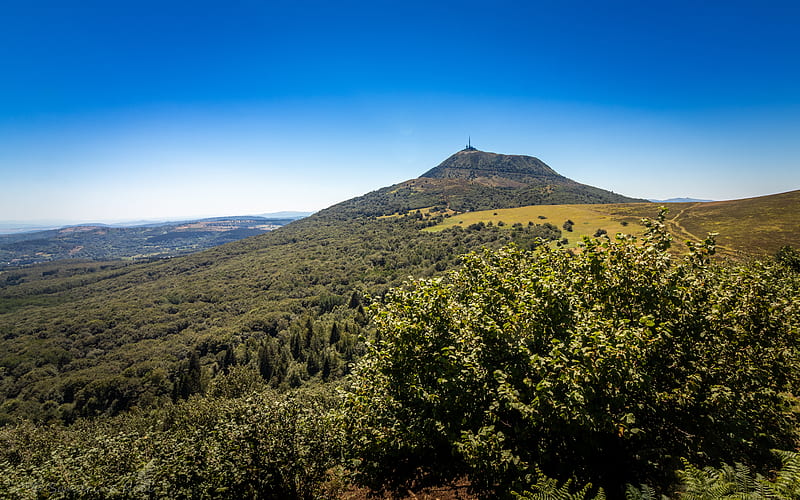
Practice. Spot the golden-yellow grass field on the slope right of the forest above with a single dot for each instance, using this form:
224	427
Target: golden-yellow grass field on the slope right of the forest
747	227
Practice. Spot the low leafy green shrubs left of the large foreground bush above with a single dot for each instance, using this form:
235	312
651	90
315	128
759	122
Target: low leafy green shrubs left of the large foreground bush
260	446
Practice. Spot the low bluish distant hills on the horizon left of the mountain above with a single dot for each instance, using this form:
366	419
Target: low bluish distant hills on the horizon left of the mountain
147	241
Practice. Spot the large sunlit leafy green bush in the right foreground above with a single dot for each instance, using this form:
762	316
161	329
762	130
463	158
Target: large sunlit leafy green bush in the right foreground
606	366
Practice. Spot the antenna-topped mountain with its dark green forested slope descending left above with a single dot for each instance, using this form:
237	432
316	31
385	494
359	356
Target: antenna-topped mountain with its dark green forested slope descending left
139	322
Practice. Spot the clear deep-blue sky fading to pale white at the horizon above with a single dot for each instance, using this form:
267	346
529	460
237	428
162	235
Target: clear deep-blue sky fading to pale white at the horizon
152	109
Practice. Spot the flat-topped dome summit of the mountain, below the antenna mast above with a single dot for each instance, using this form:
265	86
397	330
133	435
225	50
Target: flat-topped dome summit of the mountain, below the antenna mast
493	168
